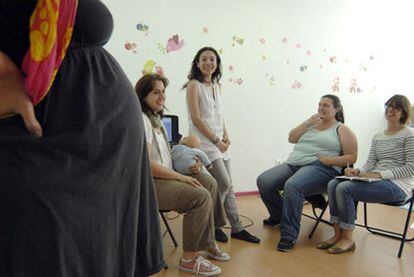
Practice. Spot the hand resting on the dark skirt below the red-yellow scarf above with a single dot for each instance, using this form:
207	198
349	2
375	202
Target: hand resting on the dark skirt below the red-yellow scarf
13	97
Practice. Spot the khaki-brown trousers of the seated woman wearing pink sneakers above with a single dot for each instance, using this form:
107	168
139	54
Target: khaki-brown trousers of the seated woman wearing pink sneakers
201	207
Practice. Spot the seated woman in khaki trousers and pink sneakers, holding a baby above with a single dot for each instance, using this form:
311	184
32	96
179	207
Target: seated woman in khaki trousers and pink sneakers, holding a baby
195	196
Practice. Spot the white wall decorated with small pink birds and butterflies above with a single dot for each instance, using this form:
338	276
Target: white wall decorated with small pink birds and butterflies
370	40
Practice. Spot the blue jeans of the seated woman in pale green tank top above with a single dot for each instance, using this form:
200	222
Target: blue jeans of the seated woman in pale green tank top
297	182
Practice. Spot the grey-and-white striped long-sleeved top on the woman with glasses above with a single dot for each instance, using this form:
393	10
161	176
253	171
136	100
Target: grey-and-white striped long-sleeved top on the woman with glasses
393	157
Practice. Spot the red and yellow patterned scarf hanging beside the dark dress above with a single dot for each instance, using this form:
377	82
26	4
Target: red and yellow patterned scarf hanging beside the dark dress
51	27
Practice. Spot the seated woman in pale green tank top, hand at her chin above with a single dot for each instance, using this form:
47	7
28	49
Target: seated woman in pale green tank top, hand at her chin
323	145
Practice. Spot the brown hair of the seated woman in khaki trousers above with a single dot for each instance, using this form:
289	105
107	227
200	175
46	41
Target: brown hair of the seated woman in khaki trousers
144	86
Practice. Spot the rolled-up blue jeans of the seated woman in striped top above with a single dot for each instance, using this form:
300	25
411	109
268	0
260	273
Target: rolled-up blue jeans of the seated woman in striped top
343	194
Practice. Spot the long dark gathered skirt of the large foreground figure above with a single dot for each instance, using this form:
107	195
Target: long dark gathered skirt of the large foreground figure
80	200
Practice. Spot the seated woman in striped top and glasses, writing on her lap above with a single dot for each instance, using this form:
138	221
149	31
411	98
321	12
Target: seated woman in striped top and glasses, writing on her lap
391	158
